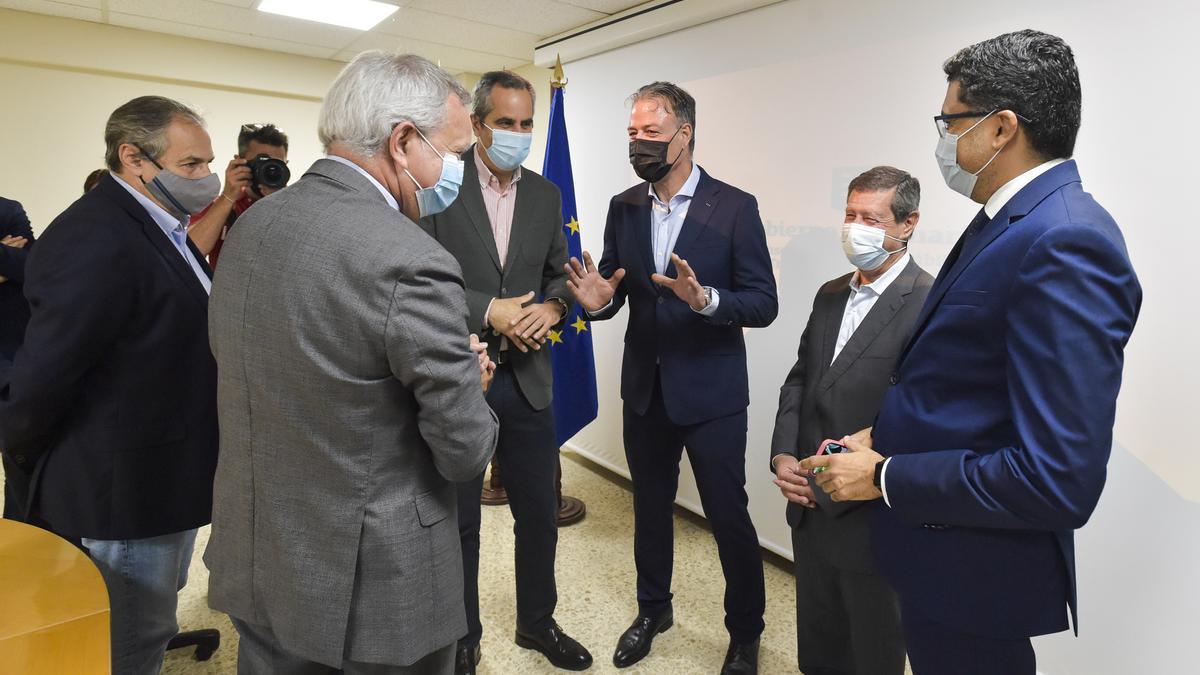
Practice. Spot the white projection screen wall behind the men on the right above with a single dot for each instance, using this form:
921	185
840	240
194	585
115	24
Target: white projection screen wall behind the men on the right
796	99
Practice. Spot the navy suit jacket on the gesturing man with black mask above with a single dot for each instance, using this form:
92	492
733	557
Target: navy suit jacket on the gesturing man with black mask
701	361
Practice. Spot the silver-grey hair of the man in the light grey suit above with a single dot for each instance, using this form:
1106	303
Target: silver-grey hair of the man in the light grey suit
379	91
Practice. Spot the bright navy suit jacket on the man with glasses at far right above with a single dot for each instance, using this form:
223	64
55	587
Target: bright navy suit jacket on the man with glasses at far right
1000	417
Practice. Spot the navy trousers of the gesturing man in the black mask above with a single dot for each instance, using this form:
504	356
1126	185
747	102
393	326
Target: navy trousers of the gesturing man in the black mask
717	451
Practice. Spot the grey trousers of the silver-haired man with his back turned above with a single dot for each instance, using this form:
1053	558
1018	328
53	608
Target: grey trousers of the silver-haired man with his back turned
261	654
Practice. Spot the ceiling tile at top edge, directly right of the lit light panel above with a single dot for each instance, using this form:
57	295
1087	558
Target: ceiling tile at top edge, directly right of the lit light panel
539	17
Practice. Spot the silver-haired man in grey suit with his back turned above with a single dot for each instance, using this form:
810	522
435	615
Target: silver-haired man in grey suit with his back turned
350	402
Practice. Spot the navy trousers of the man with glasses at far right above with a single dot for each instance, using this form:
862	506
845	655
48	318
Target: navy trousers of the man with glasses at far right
935	649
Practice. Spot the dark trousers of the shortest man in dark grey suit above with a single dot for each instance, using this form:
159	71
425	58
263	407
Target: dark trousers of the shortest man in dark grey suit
847	623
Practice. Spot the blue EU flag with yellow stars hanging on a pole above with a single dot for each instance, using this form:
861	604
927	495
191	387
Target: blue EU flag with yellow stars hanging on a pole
572	360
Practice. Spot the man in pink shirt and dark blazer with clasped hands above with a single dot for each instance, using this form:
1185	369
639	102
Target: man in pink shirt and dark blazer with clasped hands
506	230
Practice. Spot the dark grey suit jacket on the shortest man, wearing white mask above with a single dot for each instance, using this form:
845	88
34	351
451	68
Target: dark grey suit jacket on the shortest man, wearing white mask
829	401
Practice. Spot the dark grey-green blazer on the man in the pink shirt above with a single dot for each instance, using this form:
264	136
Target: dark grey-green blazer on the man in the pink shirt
536	259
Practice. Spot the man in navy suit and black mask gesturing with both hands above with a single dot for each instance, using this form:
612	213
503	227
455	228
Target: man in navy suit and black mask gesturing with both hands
689	256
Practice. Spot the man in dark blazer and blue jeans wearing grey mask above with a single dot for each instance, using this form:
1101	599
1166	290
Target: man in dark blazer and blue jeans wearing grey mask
111	403
